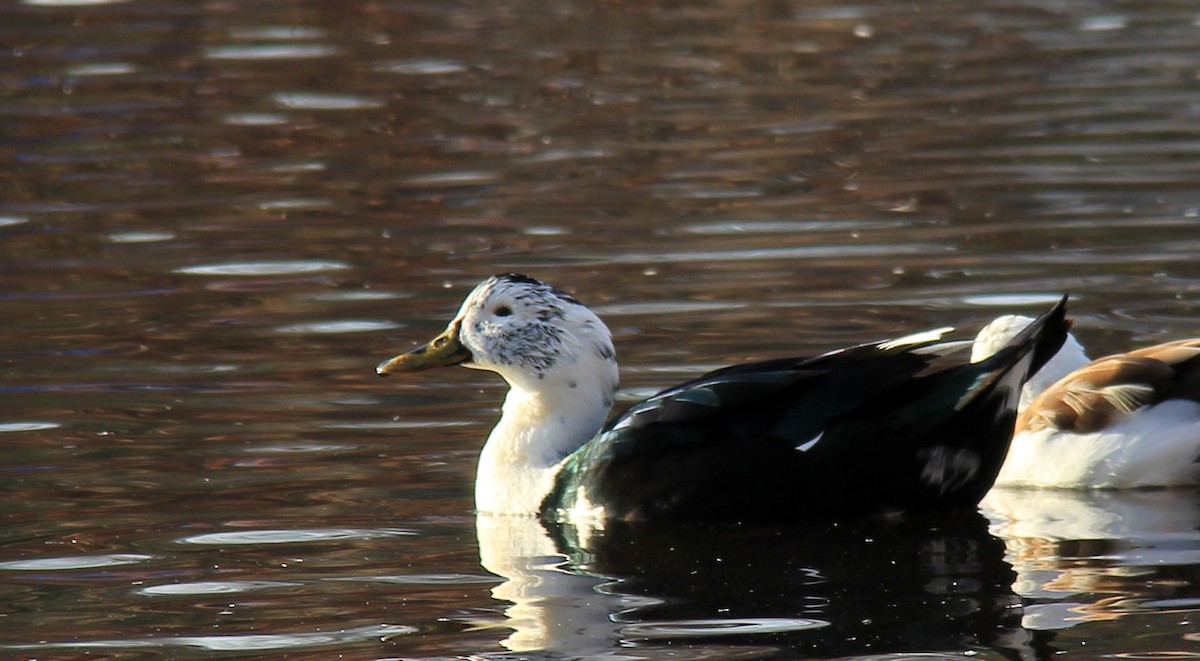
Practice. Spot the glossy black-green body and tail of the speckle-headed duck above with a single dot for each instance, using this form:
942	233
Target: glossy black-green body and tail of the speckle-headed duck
884	426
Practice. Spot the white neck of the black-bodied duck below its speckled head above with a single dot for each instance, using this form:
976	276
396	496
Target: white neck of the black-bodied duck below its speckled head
538	430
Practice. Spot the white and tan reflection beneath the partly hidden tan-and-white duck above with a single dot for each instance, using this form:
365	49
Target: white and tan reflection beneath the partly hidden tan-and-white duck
1087	556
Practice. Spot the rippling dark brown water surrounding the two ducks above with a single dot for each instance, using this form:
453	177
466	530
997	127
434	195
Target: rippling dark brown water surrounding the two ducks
217	218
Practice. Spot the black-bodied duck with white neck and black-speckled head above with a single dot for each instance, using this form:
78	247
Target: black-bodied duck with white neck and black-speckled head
885	428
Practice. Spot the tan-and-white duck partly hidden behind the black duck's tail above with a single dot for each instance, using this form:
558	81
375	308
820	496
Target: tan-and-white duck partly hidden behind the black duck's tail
1127	420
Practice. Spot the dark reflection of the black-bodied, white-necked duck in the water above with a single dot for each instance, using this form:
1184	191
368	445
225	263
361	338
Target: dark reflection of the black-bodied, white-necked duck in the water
827	590
